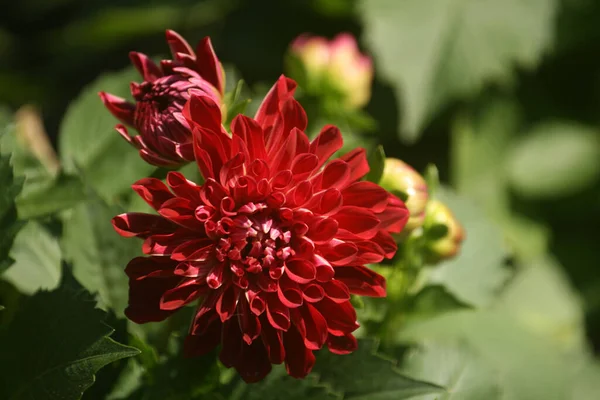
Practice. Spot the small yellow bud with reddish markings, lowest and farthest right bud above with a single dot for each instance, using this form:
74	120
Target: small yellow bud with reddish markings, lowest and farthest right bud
444	231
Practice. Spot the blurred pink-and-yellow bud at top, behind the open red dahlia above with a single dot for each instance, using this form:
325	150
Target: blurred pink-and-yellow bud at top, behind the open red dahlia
336	65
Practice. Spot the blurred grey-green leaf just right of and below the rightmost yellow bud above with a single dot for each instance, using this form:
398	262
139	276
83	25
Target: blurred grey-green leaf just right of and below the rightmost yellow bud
477	273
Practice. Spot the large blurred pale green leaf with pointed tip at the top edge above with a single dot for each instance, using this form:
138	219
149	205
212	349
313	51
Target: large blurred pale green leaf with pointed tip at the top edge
441	50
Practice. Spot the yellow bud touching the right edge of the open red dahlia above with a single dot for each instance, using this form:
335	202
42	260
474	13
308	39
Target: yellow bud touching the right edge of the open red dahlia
402	180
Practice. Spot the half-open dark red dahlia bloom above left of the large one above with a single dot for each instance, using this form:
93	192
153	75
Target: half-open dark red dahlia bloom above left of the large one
165	137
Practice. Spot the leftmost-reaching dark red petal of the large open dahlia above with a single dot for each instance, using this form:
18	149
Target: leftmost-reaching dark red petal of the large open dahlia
141	225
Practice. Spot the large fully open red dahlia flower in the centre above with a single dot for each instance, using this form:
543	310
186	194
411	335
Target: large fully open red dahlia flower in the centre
271	246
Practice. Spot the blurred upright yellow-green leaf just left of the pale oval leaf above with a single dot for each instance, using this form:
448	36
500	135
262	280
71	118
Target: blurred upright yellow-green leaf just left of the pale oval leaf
479	145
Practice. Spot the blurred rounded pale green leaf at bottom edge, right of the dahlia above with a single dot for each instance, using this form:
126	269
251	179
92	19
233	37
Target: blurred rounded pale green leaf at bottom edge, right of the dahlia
456	367
